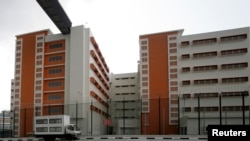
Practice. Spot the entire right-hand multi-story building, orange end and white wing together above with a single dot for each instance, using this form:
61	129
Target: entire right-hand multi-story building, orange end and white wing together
204	78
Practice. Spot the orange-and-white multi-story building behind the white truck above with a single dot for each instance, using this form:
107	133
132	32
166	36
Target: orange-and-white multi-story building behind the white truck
60	74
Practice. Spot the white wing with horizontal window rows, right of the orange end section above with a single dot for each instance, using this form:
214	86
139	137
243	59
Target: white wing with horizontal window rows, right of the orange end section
211	66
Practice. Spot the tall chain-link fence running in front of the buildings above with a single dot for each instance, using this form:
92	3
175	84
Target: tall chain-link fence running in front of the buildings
183	115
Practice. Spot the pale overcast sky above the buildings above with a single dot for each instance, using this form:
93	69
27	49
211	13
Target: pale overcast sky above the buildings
116	25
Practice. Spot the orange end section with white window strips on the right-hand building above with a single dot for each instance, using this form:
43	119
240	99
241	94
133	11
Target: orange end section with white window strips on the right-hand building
158	82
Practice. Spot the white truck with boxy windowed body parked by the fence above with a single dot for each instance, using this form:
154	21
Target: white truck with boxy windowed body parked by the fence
55	126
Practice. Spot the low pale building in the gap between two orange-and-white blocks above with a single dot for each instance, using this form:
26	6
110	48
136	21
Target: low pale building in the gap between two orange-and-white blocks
125	104
